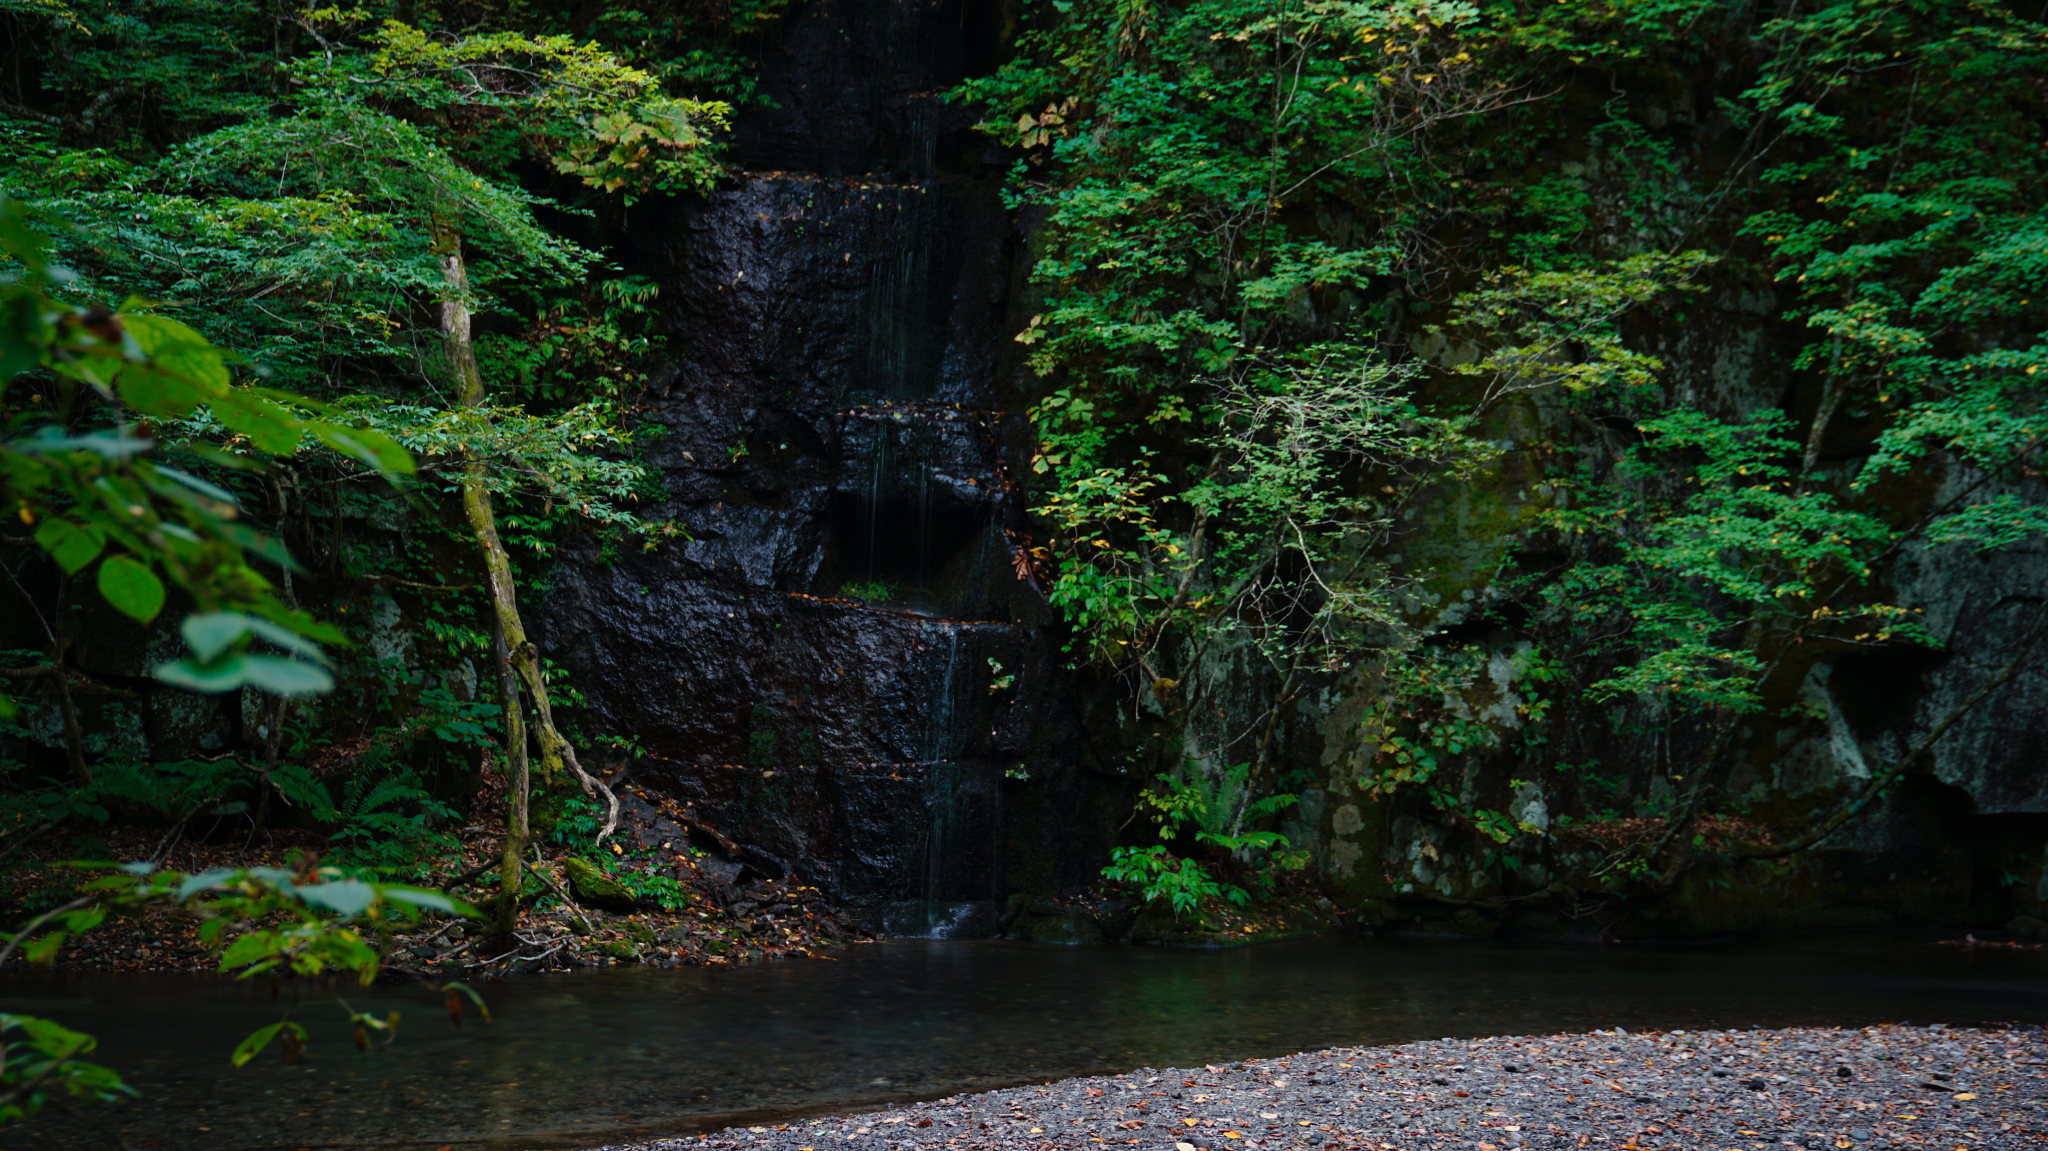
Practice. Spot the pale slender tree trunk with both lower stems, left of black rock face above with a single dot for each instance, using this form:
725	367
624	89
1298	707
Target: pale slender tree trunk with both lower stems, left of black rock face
519	656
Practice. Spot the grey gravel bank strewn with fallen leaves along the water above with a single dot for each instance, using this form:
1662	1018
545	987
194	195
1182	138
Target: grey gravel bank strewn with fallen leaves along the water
1754	1091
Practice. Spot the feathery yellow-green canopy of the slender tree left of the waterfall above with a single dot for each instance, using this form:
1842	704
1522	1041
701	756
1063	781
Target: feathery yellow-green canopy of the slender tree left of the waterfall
314	226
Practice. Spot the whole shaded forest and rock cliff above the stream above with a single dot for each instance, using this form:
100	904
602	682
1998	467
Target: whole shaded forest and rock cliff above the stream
1080	470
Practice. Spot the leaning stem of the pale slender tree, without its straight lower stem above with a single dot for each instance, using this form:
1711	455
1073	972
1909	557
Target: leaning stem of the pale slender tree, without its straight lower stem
523	656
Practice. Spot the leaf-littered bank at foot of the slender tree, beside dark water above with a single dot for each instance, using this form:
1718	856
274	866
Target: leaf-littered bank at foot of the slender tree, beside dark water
652	900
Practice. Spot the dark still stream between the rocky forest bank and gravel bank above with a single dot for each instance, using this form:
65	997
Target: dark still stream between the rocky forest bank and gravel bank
609	1056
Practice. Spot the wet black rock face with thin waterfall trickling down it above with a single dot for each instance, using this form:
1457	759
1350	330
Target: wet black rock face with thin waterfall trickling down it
843	669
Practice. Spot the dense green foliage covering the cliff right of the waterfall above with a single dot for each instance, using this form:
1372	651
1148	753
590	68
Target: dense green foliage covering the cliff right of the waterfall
1248	208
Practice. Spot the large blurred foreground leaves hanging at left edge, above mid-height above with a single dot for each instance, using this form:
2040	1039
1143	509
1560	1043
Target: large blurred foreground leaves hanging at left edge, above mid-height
101	495
